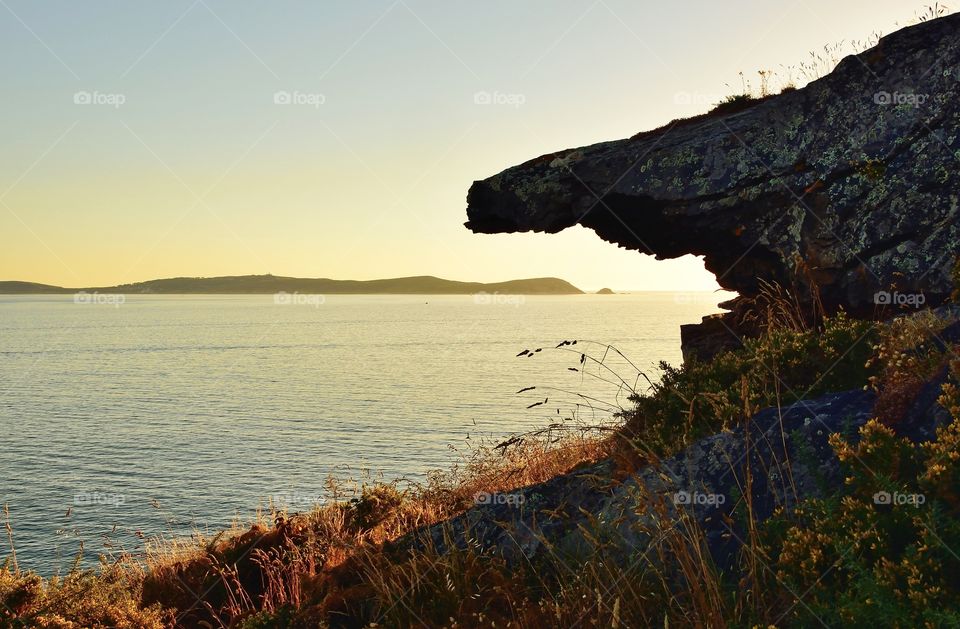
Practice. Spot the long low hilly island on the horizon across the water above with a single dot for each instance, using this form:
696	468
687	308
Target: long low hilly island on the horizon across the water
265	284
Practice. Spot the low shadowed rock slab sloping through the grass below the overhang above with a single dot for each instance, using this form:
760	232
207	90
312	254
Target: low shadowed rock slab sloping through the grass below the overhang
782	456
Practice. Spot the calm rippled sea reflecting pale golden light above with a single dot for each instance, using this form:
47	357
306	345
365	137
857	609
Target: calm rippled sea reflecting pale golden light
161	415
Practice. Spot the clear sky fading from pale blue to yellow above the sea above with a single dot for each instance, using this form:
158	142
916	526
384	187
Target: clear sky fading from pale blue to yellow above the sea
184	163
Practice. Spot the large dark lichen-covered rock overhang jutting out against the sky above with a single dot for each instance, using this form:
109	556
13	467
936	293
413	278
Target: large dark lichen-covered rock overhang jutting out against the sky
850	185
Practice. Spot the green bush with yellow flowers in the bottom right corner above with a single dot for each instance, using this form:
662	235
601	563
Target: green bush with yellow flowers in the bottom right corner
861	558
